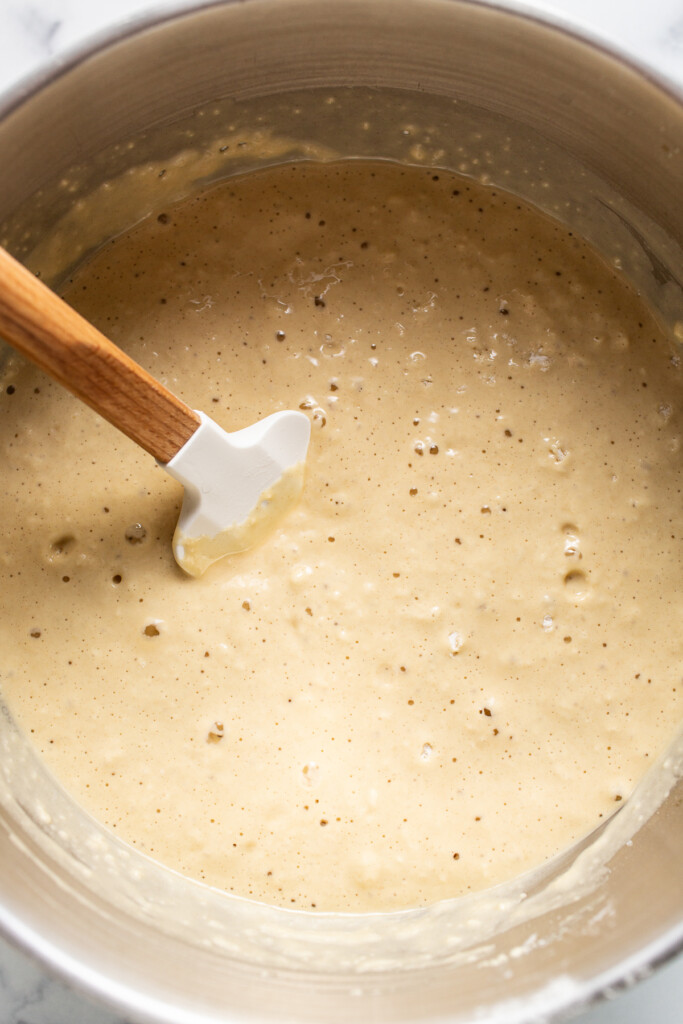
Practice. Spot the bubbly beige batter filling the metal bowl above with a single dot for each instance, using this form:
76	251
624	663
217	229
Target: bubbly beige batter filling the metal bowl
462	649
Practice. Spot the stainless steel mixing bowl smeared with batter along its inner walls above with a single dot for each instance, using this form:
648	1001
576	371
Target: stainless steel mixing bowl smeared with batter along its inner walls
205	93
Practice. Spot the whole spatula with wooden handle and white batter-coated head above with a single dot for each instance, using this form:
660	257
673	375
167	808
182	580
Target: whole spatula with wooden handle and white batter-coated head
237	486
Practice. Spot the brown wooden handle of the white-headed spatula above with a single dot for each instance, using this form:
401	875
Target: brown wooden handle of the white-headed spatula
58	339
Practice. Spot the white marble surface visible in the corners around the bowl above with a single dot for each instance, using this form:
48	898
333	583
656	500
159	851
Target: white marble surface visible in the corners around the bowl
33	32
